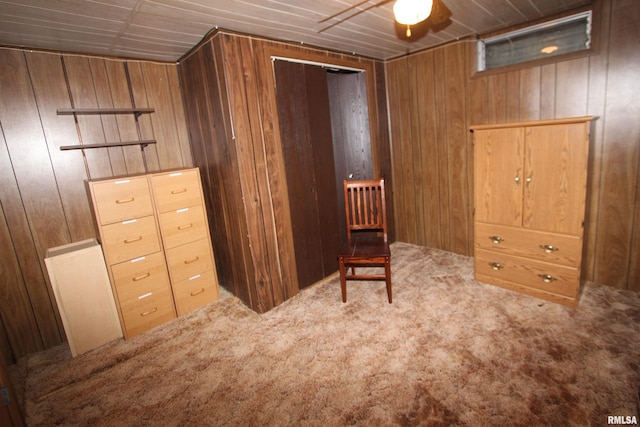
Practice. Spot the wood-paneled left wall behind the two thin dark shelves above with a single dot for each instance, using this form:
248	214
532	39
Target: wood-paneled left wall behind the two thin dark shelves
43	199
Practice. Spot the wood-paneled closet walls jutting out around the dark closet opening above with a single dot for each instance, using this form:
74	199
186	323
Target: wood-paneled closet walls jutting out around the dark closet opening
229	91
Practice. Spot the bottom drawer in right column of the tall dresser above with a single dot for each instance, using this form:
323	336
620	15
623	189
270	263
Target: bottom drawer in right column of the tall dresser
195	292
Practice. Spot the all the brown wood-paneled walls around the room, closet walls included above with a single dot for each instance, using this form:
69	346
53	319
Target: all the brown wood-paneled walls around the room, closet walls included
228	88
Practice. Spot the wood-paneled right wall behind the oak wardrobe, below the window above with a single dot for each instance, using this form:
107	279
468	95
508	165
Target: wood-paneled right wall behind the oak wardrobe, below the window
434	98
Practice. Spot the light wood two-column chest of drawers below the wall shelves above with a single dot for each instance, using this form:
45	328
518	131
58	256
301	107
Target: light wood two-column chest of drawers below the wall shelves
155	238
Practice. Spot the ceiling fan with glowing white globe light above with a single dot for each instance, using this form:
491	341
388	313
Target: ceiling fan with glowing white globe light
407	12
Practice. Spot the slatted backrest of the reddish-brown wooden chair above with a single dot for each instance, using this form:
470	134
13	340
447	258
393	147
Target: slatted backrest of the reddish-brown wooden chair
365	206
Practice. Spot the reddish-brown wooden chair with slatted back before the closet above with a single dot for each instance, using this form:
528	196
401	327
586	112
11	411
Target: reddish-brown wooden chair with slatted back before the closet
367	244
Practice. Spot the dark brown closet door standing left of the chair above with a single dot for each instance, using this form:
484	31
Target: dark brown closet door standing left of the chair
305	129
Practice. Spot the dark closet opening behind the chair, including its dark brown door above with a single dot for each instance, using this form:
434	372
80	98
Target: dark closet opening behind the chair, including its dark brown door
324	126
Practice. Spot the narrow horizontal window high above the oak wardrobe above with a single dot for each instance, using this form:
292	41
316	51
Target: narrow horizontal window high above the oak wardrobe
553	38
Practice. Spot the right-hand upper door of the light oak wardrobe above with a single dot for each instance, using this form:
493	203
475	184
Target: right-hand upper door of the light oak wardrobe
555	177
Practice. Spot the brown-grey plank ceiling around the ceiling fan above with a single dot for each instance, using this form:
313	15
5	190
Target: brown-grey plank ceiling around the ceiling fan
165	30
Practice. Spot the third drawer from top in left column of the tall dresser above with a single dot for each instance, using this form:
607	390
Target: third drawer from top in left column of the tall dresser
140	276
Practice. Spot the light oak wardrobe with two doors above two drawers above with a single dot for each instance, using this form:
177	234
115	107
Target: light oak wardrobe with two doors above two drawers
529	198
